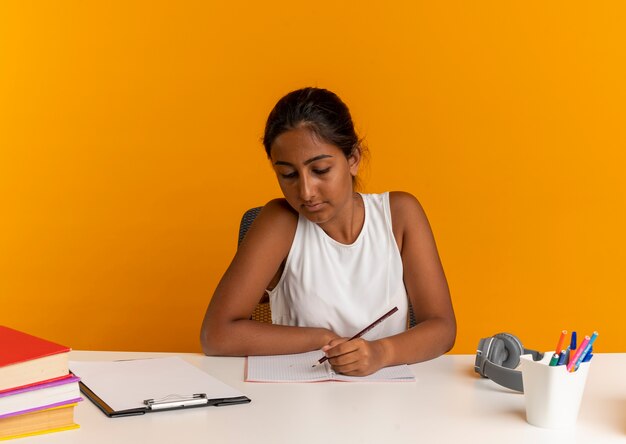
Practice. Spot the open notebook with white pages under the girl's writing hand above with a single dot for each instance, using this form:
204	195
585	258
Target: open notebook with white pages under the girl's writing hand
298	368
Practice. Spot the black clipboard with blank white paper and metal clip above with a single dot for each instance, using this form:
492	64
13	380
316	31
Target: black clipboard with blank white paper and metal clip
137	387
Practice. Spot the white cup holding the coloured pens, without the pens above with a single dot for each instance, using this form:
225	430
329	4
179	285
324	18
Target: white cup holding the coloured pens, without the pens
552	394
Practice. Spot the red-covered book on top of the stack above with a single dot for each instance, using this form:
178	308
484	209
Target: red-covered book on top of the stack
26	359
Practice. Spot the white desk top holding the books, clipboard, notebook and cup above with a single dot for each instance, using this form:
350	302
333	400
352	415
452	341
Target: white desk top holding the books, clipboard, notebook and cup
448	403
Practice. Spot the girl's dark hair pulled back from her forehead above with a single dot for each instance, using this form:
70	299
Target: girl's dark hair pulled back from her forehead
318	110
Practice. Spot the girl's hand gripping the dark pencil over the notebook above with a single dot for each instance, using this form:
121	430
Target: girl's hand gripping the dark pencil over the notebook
356	357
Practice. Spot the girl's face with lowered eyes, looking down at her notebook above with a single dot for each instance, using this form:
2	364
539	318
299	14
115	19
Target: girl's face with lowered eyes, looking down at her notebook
314	176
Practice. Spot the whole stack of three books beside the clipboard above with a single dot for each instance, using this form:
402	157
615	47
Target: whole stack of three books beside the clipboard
37	392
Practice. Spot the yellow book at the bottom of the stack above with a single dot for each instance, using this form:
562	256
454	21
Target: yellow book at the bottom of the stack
51	420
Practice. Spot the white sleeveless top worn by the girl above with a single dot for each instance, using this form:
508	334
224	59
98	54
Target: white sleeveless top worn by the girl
344	287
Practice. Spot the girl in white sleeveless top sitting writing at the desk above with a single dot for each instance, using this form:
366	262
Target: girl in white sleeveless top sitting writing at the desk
332	260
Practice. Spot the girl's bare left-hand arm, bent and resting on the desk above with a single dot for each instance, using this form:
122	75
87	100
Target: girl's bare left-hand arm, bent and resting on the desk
227	329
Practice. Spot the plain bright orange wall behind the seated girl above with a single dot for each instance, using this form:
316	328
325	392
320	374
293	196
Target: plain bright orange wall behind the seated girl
129	147
